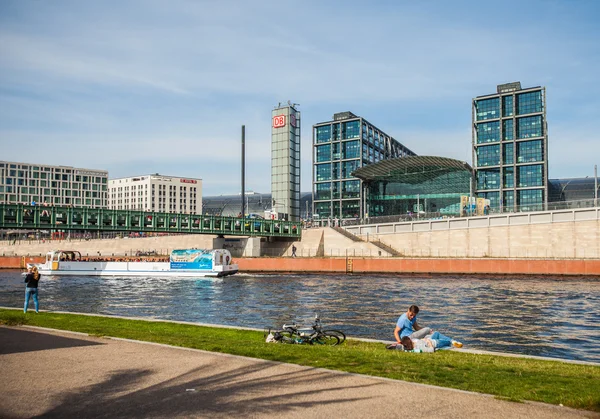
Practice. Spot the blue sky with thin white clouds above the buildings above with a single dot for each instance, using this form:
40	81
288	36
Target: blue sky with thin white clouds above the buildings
154	86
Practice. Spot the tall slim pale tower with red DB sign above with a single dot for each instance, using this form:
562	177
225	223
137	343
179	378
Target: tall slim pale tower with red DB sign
285	161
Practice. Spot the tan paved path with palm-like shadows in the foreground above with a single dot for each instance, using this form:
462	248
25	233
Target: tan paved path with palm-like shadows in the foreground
63	374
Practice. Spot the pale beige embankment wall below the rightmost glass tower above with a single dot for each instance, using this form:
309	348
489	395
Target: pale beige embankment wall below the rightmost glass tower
553	235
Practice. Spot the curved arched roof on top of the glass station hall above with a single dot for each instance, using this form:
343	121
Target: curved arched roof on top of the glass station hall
414	169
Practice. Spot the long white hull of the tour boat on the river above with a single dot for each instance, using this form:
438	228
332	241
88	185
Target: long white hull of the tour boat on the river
143	269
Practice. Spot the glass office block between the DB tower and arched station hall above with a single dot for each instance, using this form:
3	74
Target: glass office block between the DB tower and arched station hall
339	148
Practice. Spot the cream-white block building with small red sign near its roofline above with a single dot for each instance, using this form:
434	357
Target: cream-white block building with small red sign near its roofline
156	193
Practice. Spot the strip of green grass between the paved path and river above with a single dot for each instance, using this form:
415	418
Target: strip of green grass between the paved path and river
514	379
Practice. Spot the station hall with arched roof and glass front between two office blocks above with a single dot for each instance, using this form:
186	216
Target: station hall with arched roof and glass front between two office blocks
413	185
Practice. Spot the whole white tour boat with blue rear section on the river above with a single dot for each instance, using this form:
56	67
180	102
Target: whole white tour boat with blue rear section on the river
181	263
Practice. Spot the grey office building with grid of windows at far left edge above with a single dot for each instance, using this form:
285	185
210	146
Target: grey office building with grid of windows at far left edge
56	185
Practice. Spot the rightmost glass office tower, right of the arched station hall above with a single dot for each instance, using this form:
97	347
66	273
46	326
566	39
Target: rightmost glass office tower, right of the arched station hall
510	148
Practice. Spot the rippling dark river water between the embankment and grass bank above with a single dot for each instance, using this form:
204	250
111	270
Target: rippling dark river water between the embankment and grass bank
554	317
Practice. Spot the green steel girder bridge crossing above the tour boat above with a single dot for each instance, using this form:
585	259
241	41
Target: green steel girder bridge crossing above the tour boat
37	217
